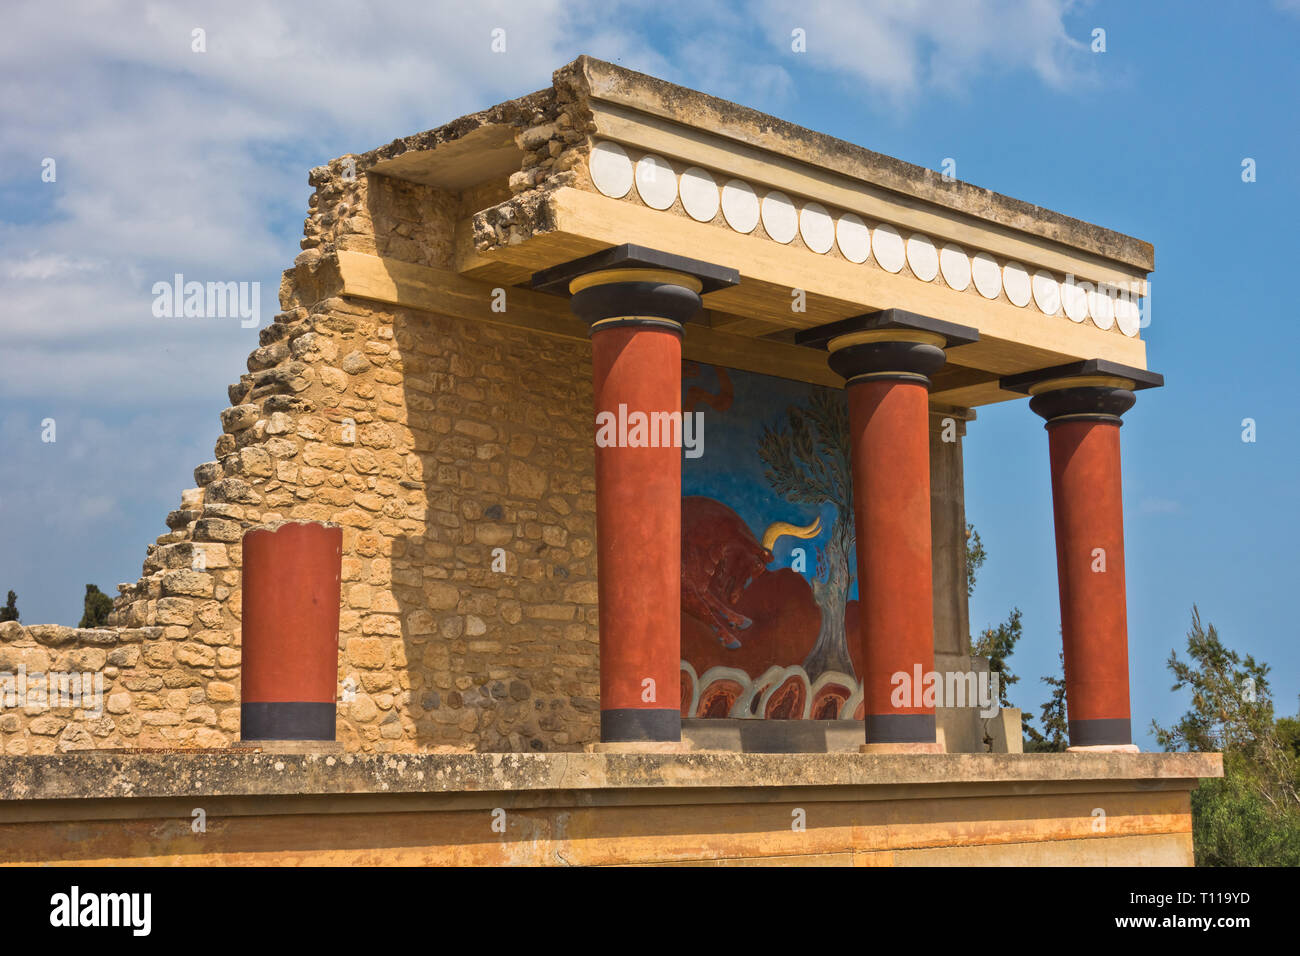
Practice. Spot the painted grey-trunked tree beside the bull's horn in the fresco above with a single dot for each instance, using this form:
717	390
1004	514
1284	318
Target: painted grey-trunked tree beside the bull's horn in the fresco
807	461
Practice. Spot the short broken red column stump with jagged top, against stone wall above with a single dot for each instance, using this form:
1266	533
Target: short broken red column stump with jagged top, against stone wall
289	646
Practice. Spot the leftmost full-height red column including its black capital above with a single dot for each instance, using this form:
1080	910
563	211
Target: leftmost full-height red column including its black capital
636	301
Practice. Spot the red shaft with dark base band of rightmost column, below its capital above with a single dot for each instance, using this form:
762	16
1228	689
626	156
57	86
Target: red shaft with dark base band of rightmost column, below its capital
1090	537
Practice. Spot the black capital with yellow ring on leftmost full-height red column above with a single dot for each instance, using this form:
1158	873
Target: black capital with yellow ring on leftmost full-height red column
638	287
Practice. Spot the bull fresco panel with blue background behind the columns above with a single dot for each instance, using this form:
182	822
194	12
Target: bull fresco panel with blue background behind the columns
769	592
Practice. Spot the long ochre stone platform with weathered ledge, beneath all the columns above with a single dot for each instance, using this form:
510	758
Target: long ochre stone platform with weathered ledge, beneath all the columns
600	808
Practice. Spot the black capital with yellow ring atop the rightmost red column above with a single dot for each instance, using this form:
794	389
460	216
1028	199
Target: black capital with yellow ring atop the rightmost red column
1089	391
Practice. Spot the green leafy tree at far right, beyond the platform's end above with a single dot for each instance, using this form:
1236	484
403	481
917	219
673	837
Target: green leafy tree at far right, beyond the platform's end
1251	817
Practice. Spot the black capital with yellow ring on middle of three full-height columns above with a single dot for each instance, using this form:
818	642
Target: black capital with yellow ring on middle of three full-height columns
890	345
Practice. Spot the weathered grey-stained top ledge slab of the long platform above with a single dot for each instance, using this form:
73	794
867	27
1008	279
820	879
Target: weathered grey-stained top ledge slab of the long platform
110	776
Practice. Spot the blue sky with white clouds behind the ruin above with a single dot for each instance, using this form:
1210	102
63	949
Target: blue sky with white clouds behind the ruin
171	161
